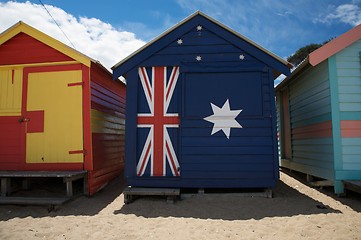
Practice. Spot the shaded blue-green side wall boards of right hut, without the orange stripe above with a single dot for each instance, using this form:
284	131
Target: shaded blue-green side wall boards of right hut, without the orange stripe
310	104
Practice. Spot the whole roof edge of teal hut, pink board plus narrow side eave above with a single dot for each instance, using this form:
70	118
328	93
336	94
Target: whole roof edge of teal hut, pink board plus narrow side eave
325	52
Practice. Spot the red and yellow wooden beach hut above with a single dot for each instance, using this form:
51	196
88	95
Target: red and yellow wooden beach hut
61	113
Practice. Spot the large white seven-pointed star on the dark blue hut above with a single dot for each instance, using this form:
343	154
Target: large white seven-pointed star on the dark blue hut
223	119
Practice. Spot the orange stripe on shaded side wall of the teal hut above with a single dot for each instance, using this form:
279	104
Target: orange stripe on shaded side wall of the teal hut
318	130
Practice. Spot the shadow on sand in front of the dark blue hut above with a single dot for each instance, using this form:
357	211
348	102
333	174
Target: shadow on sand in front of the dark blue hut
286	202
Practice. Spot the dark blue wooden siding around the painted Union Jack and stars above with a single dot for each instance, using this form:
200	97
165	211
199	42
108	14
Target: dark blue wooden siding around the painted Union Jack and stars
249	157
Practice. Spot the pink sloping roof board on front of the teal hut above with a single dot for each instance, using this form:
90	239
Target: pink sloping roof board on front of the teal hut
335	46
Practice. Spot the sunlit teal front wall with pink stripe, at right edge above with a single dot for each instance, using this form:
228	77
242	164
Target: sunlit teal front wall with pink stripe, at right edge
348	101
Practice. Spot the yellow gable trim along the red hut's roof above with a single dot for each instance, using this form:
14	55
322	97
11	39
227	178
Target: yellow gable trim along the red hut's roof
42	37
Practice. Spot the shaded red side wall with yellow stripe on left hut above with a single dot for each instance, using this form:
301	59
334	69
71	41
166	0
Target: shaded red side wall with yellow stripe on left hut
108	128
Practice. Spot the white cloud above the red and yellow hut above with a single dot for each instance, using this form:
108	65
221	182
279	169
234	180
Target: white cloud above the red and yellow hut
90	36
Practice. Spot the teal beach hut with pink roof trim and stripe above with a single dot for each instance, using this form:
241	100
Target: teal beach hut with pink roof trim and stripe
319	113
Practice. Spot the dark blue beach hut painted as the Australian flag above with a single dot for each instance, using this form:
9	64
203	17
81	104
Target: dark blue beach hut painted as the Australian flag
200	109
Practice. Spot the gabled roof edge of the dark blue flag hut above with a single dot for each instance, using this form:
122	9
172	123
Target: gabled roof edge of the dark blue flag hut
129	62
